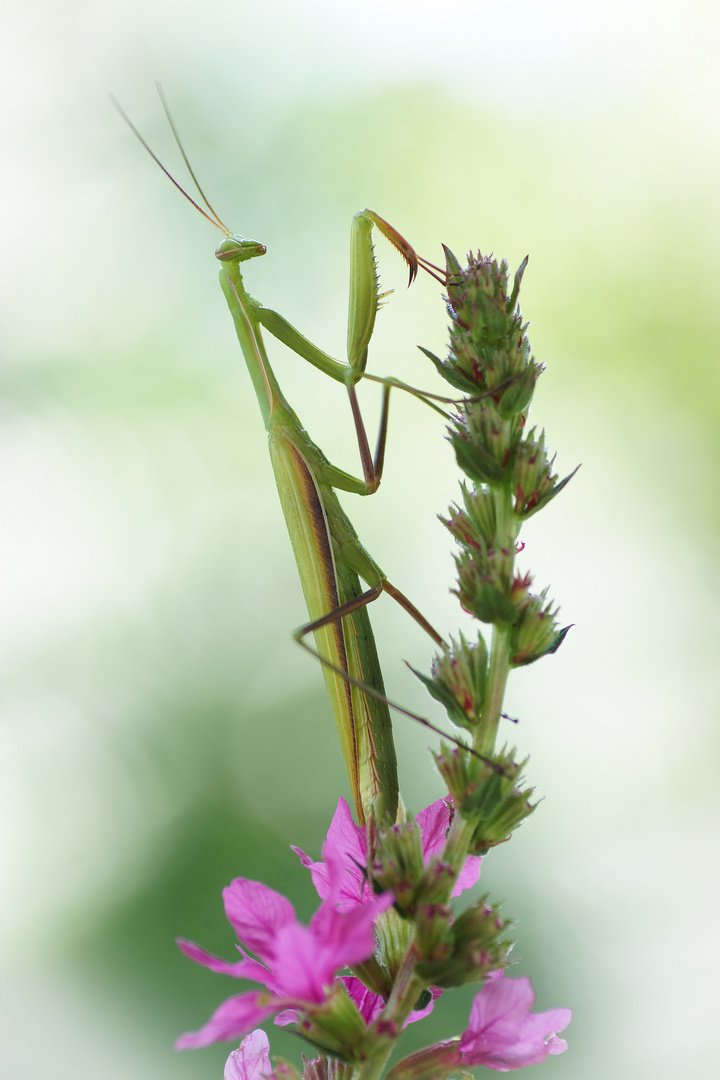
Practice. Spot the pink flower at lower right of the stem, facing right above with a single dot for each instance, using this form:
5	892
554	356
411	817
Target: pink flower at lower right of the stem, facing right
505	1035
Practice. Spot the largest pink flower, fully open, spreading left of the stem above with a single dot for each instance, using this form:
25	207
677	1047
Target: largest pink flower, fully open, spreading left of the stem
297	964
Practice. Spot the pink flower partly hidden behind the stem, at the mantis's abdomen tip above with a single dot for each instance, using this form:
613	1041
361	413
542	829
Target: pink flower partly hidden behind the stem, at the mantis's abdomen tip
348	842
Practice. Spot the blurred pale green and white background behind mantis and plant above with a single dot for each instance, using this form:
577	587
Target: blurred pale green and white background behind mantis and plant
161	734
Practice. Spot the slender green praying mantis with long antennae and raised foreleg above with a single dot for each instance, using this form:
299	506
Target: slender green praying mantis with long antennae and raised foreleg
331	560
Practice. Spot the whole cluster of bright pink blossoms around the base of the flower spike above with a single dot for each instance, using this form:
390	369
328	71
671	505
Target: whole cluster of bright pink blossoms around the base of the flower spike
298	967
